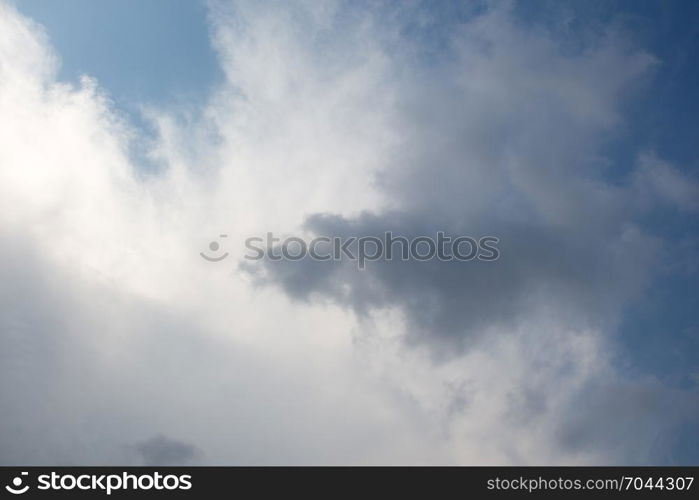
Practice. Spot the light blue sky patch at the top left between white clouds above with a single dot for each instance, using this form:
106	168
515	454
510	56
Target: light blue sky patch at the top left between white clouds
141	52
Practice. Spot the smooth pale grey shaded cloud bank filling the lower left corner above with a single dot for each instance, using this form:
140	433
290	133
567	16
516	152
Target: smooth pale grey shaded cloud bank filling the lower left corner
88	371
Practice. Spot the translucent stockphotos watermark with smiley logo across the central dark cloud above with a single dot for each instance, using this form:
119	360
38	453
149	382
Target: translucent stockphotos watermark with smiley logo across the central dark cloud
363	249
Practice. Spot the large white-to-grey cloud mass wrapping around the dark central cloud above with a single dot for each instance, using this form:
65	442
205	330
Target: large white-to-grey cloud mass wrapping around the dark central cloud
114	330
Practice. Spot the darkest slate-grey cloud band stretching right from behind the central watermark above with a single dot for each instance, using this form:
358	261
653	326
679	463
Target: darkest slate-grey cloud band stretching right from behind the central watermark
584	272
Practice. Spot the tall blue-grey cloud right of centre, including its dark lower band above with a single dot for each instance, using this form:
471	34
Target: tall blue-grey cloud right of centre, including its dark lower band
500	137
